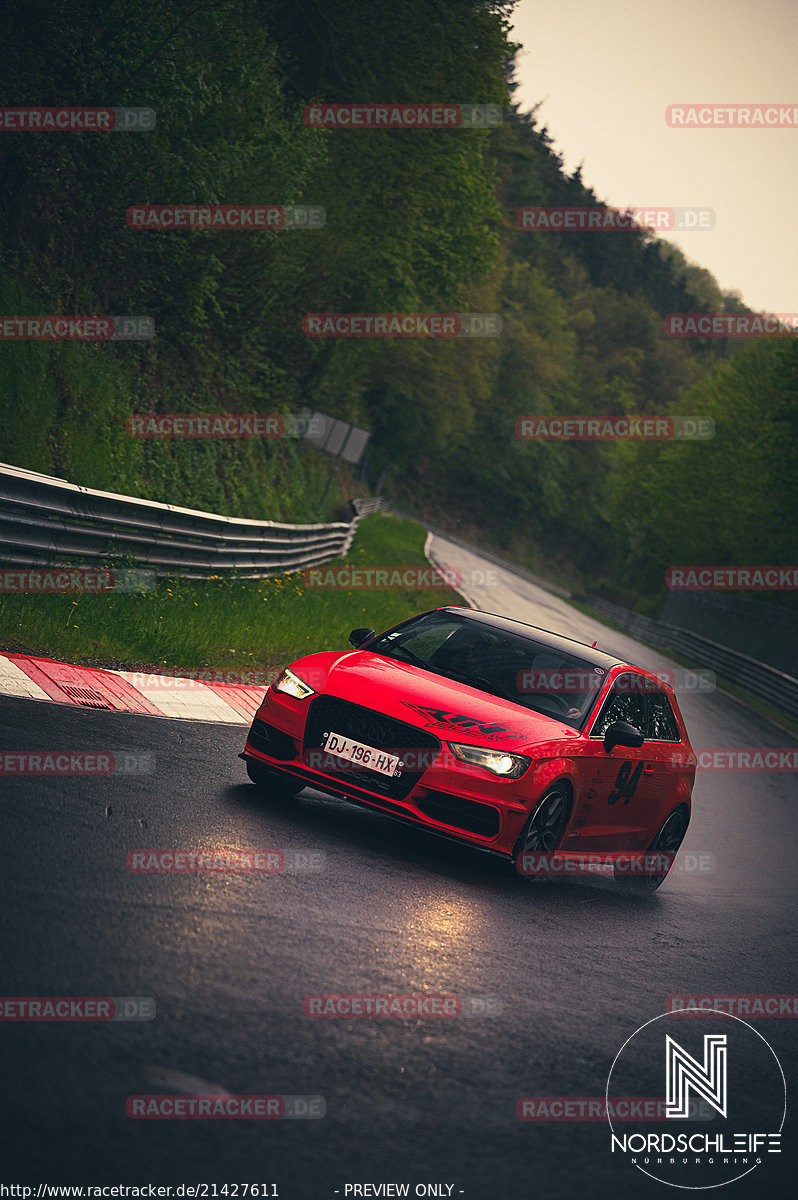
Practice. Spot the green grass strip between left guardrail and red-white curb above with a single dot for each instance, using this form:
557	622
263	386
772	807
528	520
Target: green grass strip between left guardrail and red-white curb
224	625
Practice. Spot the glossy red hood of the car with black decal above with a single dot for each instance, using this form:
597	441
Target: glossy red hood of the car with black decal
453	711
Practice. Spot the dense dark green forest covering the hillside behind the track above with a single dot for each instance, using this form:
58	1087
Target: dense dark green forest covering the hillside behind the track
416	221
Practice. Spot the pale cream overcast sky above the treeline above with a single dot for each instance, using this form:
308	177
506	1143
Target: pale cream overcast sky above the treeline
608	70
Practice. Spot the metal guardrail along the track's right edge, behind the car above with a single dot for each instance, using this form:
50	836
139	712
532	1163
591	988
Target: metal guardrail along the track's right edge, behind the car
777	687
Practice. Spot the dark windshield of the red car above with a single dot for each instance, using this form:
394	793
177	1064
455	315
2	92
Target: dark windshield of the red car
500	662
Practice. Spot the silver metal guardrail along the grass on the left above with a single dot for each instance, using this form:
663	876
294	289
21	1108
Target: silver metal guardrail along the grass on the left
47	520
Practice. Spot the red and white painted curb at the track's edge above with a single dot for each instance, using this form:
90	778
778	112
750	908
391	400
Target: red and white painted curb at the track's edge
128	692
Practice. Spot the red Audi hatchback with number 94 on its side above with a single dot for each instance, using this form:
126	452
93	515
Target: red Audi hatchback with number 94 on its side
490	731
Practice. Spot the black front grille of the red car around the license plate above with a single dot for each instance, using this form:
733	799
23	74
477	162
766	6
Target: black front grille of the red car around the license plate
329	715
